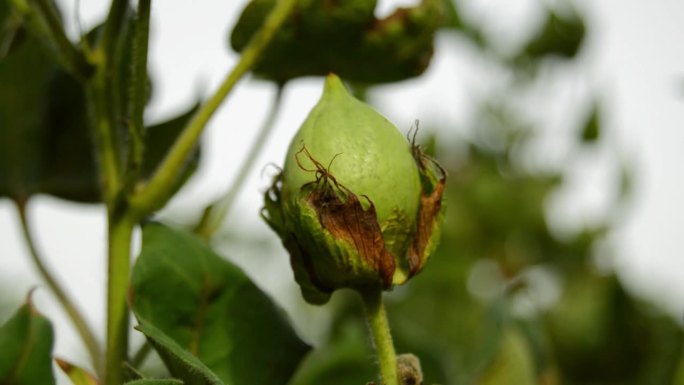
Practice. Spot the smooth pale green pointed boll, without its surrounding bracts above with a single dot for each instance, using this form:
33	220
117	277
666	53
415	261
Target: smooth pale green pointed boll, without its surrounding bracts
361	148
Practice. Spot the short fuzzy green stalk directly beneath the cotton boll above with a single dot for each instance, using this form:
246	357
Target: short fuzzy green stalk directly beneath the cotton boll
382	338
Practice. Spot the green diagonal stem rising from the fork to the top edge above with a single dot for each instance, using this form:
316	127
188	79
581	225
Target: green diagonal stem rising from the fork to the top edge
158	190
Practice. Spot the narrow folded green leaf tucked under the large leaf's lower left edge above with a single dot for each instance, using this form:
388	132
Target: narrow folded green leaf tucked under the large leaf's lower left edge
180	362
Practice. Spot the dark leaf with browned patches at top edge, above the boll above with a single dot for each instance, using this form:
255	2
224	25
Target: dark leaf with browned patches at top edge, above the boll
344	38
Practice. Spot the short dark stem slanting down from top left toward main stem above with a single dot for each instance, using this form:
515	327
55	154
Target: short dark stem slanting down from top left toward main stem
72	58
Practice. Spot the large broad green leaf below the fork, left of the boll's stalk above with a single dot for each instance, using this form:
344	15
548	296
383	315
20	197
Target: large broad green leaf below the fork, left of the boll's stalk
211	308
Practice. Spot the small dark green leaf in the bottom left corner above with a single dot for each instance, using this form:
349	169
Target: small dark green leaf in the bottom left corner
25	347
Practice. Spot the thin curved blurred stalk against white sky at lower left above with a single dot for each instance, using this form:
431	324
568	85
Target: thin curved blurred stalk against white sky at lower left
77	319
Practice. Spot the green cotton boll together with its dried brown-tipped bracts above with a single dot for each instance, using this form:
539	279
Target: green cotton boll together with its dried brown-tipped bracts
355	205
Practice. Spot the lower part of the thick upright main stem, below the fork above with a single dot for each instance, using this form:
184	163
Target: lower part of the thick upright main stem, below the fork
119	260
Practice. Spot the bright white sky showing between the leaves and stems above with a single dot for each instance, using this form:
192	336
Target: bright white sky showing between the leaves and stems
634	59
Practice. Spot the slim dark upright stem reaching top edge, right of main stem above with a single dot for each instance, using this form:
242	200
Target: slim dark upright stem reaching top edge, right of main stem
138	97
